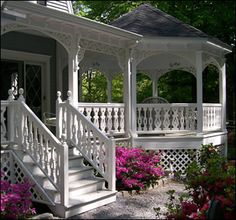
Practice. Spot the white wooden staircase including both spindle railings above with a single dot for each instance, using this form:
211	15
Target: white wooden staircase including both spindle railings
65	181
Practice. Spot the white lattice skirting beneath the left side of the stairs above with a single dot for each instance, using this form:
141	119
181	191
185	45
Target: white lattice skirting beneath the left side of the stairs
14	173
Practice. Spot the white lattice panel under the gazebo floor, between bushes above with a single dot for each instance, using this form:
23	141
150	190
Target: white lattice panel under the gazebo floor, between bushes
179	158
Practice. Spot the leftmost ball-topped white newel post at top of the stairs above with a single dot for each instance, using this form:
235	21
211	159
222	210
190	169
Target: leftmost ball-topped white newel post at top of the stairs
11	116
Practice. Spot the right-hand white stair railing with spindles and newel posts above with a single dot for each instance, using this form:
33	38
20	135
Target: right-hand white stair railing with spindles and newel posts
91	142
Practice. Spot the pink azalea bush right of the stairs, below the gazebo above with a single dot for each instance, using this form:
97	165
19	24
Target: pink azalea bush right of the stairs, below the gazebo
137	169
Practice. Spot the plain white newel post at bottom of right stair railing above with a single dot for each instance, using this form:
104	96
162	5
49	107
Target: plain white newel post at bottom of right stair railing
112	165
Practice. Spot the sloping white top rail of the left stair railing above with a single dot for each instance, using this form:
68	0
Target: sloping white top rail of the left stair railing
40	124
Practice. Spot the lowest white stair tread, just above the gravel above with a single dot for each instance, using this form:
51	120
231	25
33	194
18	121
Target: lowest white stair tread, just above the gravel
90	197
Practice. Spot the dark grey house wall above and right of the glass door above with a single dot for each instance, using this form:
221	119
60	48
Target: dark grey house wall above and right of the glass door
38	45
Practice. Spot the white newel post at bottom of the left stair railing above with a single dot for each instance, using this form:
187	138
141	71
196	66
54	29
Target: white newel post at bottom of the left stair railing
64	173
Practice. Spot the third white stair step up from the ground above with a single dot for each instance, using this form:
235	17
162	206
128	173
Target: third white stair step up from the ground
77	173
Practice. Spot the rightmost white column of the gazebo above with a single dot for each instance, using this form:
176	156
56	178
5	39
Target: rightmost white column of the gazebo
222	89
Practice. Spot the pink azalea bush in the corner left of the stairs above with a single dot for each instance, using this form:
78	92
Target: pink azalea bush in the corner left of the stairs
15	200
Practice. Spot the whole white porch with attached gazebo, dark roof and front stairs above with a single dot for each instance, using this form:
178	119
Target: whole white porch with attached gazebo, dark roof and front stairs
45	49
